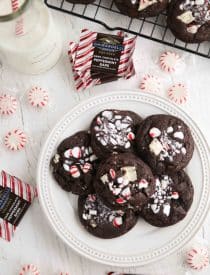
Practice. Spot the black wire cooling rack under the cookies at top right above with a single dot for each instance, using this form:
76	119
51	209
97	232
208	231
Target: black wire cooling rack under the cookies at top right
104	12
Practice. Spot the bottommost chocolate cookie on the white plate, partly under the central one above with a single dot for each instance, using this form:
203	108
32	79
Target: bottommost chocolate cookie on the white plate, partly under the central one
103	222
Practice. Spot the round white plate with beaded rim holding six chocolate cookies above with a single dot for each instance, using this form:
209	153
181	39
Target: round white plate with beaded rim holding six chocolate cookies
144	243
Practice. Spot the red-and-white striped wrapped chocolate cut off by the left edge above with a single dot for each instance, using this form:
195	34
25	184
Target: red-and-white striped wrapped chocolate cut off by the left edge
15	199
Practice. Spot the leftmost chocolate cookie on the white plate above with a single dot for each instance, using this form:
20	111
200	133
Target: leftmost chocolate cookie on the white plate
74	164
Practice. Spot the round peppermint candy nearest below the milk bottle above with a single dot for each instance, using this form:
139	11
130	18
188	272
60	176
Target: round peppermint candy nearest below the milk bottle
38	97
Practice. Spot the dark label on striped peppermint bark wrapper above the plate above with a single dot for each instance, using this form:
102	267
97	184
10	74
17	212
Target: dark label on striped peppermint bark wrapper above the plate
107	53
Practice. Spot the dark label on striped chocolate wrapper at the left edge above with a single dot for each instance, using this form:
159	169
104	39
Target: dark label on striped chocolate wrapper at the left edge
12	207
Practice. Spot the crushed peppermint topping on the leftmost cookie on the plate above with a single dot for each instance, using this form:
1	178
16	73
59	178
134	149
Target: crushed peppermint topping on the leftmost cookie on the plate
78	160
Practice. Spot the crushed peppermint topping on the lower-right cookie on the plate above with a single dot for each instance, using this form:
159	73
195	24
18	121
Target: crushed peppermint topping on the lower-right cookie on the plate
163	195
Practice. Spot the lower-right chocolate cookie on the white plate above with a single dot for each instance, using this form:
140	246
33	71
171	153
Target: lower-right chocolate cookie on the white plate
171	201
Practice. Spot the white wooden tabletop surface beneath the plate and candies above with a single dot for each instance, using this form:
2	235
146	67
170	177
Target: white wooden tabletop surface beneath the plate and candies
34	241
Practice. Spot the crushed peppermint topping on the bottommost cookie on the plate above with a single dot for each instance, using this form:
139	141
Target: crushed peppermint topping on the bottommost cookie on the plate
95	212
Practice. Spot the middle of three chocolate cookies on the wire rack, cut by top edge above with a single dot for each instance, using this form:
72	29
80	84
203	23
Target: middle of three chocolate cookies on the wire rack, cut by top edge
141	8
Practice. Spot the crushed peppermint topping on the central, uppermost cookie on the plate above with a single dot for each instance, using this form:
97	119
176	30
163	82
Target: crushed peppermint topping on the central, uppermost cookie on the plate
123	183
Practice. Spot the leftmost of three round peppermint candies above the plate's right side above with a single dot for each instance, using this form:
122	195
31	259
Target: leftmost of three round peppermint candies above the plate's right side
151	84
